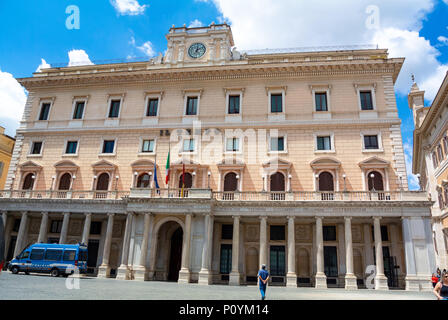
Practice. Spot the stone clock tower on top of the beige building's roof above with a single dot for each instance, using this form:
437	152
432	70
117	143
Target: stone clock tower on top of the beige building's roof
198	46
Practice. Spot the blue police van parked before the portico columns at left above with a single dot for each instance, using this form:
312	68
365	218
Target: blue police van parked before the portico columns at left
55	259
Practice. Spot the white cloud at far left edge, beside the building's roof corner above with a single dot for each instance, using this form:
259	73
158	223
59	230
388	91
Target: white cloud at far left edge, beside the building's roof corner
13	97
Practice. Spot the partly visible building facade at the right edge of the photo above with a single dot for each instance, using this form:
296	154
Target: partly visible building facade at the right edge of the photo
430	161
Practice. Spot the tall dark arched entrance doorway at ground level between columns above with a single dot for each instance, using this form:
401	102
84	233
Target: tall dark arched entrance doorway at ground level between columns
169	252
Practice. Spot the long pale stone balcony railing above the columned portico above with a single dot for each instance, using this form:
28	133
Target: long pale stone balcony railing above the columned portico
219	196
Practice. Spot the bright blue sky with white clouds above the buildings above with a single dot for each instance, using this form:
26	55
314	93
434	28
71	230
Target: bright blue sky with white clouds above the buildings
38	34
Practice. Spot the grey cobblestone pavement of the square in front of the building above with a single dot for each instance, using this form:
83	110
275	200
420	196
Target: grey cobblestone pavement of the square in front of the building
43	287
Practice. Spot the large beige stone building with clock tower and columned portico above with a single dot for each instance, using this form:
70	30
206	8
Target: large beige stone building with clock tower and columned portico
292	158
